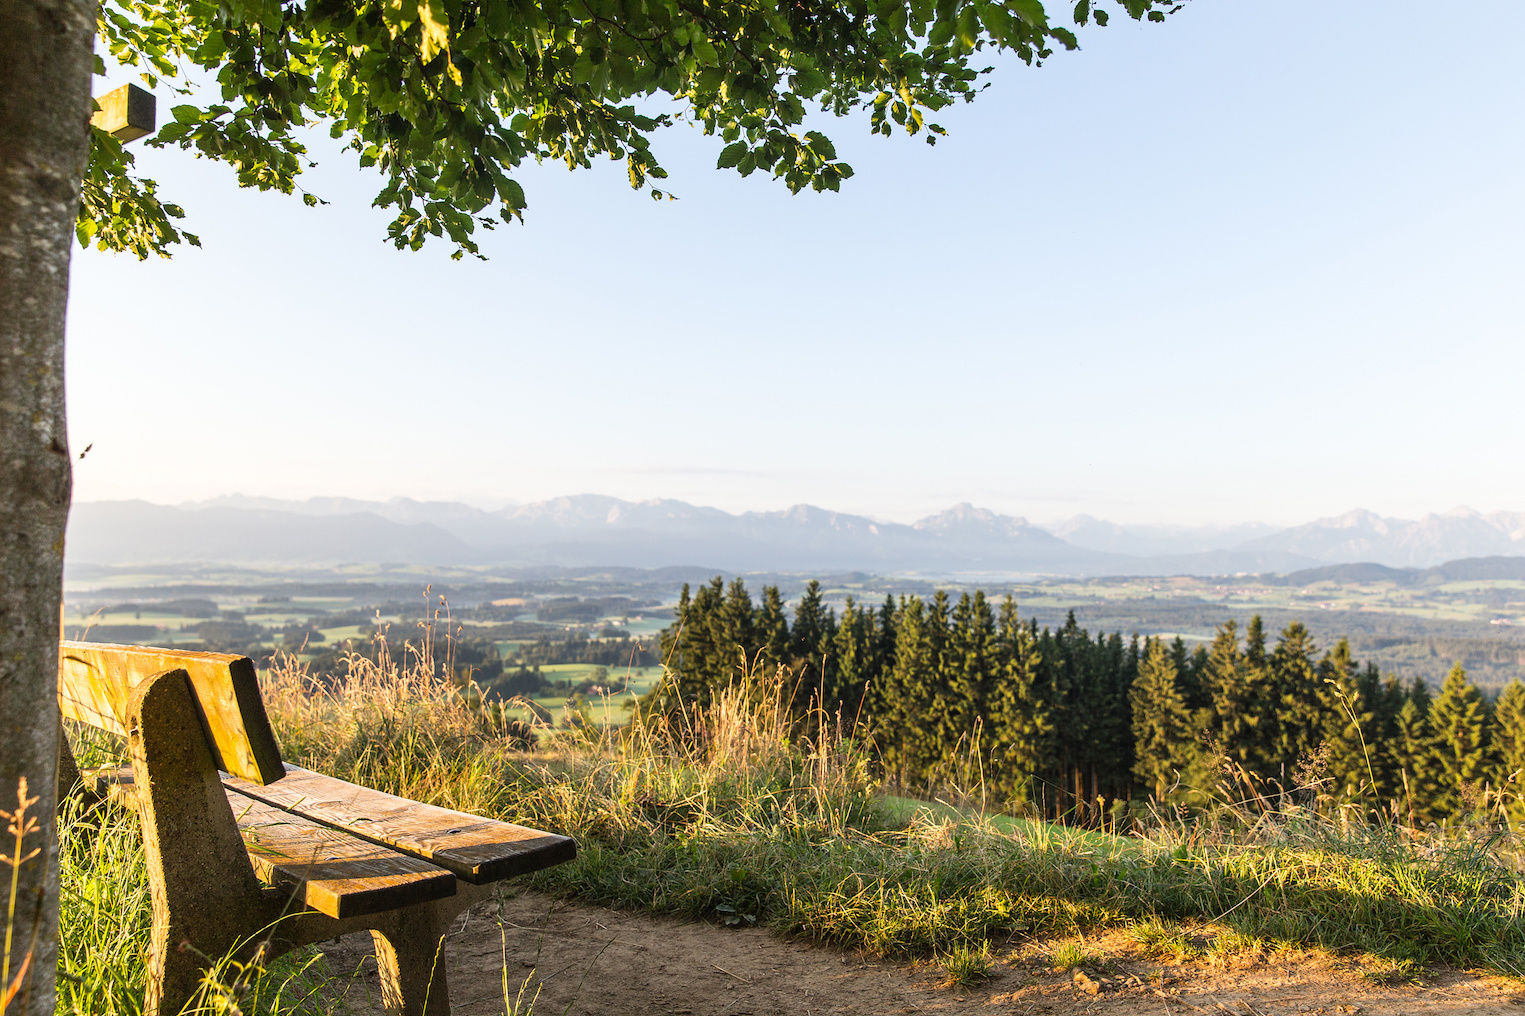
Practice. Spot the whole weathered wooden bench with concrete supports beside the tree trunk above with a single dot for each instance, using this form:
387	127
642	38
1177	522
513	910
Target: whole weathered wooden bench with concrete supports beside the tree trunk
248	855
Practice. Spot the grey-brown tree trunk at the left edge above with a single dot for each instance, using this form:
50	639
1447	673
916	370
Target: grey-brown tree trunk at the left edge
47	54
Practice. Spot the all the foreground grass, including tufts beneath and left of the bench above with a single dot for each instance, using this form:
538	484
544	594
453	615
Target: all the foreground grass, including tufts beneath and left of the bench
743	812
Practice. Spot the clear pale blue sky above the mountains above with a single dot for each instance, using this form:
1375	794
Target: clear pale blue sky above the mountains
1260	263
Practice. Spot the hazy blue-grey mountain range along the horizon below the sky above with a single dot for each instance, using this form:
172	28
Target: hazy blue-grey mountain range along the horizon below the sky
592	530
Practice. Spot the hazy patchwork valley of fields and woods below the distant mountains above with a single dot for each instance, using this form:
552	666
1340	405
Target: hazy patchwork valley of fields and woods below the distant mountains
1414	625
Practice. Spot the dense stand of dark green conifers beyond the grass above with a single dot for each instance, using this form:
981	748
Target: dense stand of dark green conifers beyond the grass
1082	728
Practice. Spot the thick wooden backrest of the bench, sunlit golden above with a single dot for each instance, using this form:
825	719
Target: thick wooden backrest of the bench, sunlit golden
97	681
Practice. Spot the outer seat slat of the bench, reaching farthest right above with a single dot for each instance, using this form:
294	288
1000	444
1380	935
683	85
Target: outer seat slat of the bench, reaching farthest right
475	849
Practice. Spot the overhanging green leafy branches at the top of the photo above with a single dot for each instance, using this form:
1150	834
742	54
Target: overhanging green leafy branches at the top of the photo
449	97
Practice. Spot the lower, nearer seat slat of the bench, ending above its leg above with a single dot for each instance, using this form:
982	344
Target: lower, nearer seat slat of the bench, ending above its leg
326	869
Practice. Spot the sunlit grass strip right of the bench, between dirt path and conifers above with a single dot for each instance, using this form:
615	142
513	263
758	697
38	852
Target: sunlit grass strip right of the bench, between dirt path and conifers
798	837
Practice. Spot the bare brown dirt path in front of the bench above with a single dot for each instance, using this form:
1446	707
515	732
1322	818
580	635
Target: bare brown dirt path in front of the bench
592	962
